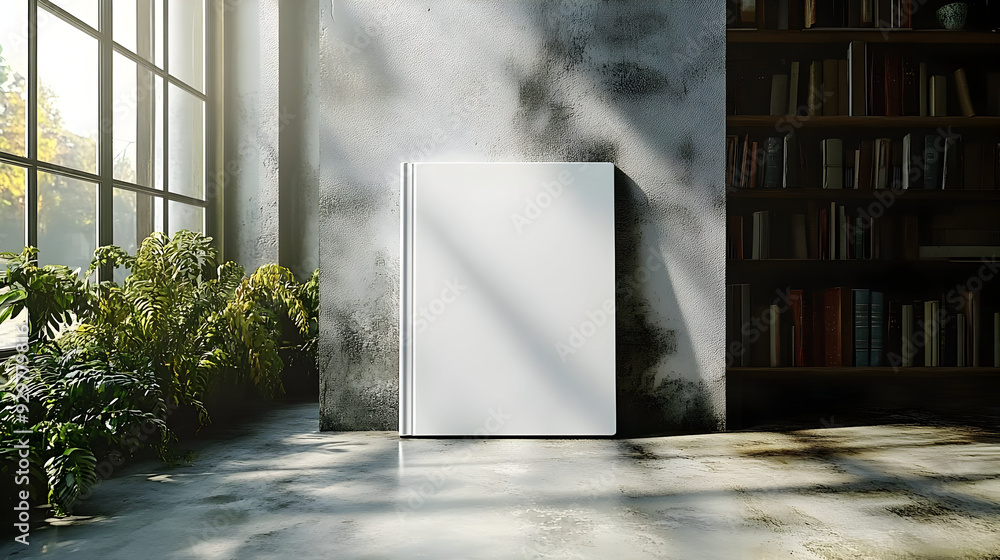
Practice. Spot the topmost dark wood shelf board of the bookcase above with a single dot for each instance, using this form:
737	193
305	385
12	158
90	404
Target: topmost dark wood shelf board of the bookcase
888	36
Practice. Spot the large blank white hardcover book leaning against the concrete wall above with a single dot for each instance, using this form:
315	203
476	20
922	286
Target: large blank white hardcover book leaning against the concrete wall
507	303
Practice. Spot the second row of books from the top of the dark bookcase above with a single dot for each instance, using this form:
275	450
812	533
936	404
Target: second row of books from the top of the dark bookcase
868	82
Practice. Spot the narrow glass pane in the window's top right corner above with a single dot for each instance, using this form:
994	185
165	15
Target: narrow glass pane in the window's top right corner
186	41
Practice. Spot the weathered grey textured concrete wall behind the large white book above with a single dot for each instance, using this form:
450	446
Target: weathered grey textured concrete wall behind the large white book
640	84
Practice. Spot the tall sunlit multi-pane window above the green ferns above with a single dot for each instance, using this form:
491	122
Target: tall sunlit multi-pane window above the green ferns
104	129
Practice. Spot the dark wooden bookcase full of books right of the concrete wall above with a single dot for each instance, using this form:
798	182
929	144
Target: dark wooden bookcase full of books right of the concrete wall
958	201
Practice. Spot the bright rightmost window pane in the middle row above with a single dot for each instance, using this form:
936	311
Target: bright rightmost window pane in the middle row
186	169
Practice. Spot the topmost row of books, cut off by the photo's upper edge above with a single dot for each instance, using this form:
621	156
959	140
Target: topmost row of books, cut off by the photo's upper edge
805	14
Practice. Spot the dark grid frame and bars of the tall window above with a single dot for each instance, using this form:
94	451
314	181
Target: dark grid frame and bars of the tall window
104	178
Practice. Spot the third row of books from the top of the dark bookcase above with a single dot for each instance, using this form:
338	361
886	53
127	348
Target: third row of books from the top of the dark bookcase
915	161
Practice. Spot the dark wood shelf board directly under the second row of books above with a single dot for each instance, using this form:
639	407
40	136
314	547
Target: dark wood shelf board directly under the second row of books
788	123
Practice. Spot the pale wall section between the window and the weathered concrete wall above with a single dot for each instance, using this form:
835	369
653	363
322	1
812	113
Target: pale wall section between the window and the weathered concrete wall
271	143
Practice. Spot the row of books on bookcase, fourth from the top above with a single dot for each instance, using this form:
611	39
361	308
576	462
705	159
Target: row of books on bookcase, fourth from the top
830	234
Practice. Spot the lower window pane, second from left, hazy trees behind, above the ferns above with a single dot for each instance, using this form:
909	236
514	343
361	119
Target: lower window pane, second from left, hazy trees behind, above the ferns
67	221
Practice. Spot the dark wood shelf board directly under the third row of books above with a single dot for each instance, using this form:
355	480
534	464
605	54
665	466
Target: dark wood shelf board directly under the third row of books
853	194
